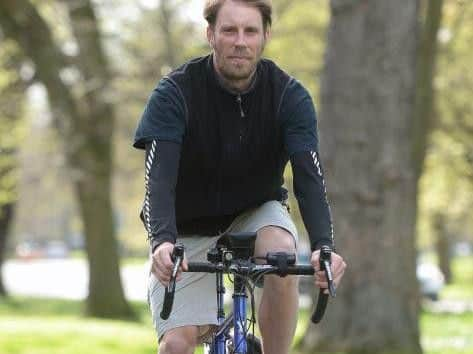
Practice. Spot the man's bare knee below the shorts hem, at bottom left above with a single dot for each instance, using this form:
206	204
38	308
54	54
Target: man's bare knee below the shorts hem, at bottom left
180	340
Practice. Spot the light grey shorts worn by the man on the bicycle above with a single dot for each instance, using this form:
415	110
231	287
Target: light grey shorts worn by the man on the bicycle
195	301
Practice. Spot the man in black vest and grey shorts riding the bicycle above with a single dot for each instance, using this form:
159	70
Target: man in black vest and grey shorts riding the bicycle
218	133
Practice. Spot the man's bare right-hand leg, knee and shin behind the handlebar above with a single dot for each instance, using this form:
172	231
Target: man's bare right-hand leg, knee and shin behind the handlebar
279	304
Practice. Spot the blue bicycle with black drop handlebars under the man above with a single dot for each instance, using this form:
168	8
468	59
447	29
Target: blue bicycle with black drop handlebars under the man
233	255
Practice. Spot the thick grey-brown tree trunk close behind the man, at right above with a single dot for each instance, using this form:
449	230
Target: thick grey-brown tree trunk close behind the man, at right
367	105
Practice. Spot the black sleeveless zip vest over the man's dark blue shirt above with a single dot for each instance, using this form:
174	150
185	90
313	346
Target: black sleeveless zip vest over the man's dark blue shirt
232	155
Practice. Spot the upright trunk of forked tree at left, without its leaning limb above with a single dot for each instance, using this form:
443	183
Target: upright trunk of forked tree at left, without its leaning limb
106	297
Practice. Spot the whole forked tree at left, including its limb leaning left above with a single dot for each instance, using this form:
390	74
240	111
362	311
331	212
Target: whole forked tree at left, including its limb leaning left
85	119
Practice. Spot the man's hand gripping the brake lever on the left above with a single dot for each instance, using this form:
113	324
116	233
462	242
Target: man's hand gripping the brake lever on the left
163	265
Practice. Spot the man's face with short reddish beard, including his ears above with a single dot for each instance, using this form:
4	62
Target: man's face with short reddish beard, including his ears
238	40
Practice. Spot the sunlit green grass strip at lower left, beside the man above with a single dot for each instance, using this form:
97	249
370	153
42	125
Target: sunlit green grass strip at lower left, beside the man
40	326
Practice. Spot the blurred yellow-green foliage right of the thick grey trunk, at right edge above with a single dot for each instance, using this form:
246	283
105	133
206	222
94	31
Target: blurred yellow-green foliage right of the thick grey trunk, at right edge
447	183
